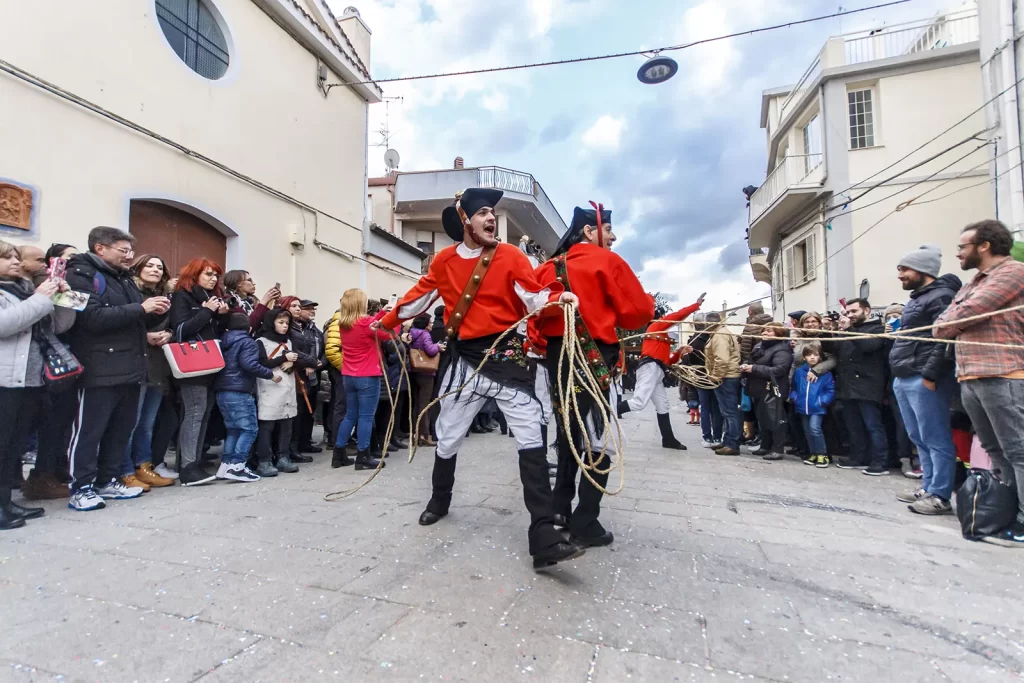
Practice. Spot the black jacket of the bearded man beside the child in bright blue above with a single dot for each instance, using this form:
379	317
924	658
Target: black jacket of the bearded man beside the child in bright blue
862	372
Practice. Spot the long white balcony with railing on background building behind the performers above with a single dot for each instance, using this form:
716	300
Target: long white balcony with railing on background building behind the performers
526	209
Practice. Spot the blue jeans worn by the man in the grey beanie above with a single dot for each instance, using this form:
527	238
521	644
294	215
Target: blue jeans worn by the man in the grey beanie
926	415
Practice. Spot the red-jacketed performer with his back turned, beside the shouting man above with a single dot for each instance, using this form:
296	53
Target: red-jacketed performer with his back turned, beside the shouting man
611	296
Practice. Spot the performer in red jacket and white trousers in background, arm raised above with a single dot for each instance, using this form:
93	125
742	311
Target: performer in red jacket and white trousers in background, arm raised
651	374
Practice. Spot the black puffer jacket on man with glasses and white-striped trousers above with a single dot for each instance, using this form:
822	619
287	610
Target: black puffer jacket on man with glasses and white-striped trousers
109	337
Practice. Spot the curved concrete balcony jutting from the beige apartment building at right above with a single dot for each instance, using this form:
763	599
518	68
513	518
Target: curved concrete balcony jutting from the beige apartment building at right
786	192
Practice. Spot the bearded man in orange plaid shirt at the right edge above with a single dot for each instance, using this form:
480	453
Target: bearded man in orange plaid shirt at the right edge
992	379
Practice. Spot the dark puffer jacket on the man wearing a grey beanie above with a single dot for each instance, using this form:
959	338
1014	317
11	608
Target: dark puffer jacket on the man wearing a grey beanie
910	358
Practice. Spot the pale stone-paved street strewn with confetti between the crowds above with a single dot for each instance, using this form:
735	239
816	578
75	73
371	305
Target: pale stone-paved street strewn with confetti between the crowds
722	569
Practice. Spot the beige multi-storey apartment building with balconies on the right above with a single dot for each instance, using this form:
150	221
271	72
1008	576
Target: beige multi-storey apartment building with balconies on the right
872	155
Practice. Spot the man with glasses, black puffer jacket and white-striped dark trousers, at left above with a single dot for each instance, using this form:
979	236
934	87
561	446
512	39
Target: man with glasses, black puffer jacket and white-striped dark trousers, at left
109	339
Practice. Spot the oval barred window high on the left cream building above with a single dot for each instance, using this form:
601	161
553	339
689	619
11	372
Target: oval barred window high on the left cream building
195	36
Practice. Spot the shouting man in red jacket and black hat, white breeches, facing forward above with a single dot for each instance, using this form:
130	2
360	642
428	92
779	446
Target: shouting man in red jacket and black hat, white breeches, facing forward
488	287
